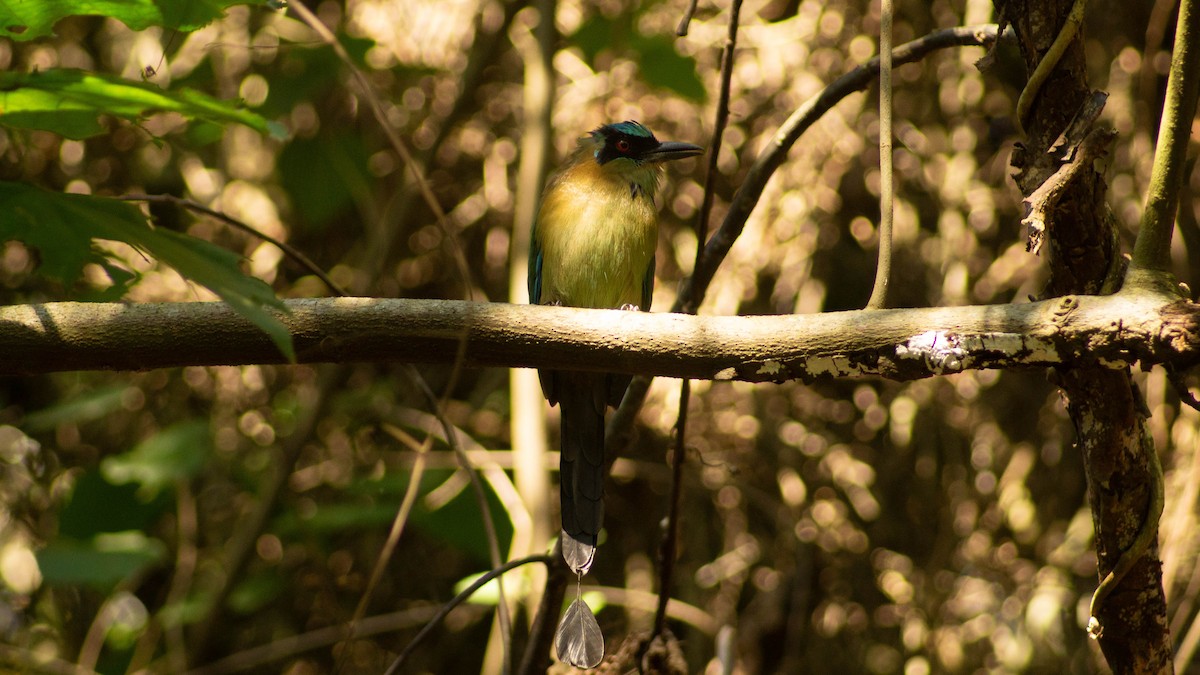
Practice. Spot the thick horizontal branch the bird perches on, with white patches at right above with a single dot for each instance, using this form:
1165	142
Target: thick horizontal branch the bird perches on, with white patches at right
895	344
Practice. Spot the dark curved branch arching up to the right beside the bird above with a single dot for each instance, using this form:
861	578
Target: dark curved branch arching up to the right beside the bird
747	198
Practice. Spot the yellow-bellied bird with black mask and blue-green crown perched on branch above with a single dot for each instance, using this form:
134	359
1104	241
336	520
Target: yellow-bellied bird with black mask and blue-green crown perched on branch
593	246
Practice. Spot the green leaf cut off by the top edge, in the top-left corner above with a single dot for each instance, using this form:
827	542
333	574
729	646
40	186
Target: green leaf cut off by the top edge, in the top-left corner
28	20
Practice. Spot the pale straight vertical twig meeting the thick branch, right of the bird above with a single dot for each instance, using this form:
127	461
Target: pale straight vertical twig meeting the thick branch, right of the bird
884	268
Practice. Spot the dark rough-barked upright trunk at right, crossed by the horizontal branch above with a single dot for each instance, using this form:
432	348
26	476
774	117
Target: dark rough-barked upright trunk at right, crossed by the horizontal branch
1105	404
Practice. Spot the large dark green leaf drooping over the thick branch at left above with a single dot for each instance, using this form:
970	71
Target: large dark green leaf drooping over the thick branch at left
63	228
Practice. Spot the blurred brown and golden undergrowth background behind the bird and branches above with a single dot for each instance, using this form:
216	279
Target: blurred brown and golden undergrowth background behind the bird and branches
854	527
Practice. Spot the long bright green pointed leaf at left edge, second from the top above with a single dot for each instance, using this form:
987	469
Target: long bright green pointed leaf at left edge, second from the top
70	103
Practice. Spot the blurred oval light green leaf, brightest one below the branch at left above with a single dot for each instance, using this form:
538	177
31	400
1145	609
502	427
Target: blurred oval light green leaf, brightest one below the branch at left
173	455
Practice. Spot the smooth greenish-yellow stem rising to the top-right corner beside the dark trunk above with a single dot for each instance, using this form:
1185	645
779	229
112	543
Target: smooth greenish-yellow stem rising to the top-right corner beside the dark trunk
1153	250
